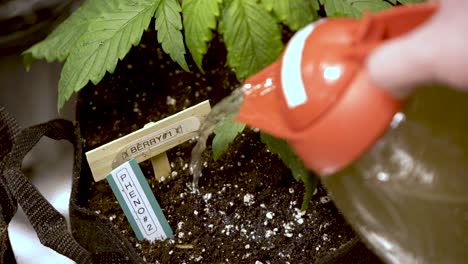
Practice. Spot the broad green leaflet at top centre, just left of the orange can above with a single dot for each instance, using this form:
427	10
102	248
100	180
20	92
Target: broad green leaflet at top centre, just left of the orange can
251	35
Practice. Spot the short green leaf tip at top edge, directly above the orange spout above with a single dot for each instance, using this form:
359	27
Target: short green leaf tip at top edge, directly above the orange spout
294	13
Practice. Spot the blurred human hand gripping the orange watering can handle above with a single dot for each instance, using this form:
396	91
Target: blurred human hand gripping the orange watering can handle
435	52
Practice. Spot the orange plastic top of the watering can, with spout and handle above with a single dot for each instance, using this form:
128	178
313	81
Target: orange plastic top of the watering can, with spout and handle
318	95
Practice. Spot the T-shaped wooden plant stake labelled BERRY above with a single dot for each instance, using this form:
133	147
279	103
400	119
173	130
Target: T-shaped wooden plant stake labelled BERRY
150	142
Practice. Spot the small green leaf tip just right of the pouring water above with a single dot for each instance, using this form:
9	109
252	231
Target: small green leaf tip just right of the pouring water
225	132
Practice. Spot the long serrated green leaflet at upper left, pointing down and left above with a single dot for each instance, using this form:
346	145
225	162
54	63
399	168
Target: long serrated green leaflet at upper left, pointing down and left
109	37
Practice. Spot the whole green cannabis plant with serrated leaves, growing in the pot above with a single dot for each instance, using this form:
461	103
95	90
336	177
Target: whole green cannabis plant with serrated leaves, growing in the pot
101	32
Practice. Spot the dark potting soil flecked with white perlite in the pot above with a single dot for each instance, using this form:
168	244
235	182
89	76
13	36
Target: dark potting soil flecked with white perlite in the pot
248	209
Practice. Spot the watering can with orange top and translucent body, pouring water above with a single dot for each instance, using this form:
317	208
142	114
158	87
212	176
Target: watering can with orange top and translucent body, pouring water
398	171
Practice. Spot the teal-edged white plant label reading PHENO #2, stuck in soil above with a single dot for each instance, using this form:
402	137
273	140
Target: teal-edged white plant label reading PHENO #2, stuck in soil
138	202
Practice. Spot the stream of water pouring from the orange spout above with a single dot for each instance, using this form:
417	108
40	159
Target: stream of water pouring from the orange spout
225	107
